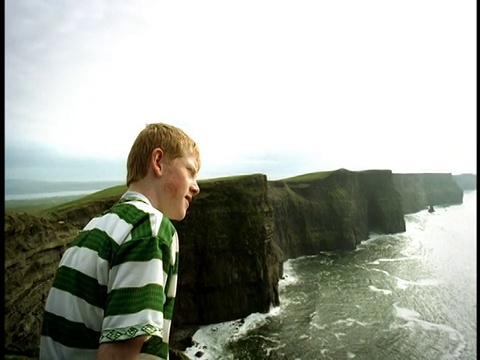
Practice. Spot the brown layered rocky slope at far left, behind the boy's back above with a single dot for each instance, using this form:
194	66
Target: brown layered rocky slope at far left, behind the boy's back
33	247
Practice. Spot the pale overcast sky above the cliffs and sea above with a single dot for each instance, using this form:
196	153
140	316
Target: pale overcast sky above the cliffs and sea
278	87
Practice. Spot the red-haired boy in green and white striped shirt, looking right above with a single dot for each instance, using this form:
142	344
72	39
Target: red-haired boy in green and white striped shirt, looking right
114	290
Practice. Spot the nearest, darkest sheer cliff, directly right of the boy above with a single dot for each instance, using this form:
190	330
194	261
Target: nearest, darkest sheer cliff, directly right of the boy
229	263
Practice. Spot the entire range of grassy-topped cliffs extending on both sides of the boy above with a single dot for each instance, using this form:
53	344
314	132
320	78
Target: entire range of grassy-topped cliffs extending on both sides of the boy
233	241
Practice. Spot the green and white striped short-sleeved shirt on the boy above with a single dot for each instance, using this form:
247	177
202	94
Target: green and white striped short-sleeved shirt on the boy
116	281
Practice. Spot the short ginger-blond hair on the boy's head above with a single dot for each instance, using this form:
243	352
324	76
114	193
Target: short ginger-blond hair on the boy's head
172	140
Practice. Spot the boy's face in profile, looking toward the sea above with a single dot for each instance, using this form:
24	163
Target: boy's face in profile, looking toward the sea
179	186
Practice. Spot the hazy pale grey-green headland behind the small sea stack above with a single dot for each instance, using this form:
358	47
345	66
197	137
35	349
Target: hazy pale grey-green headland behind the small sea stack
418	191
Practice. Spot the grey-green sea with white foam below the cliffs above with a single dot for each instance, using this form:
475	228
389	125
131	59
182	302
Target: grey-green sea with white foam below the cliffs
410	295
